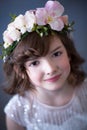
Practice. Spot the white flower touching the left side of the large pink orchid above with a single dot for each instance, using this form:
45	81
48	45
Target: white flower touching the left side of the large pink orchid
30	20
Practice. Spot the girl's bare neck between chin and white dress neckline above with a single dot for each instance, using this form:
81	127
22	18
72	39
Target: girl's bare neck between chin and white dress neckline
57	97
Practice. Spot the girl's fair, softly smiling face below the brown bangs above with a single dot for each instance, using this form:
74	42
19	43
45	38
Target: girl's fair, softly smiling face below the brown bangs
51	71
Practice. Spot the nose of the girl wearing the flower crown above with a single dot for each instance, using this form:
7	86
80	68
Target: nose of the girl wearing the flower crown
50	67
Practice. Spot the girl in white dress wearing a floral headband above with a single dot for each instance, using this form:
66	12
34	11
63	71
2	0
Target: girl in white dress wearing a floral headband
43	71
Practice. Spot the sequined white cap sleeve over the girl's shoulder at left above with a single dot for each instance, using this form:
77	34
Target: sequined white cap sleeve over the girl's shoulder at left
15	109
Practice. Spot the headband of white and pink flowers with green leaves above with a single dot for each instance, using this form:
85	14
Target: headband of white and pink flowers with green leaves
40	20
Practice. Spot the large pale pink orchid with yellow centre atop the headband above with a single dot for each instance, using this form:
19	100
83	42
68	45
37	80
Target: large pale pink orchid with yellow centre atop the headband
51	15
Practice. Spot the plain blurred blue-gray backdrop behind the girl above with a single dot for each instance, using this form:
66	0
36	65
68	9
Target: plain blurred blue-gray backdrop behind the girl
77	11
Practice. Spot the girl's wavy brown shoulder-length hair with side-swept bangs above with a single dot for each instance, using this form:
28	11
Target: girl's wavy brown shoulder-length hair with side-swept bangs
35	46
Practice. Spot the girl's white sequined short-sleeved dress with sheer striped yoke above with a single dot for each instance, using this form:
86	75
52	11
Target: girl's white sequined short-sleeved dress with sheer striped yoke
34	115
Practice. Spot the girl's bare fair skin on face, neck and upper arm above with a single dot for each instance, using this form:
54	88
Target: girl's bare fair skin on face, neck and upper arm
49	76
